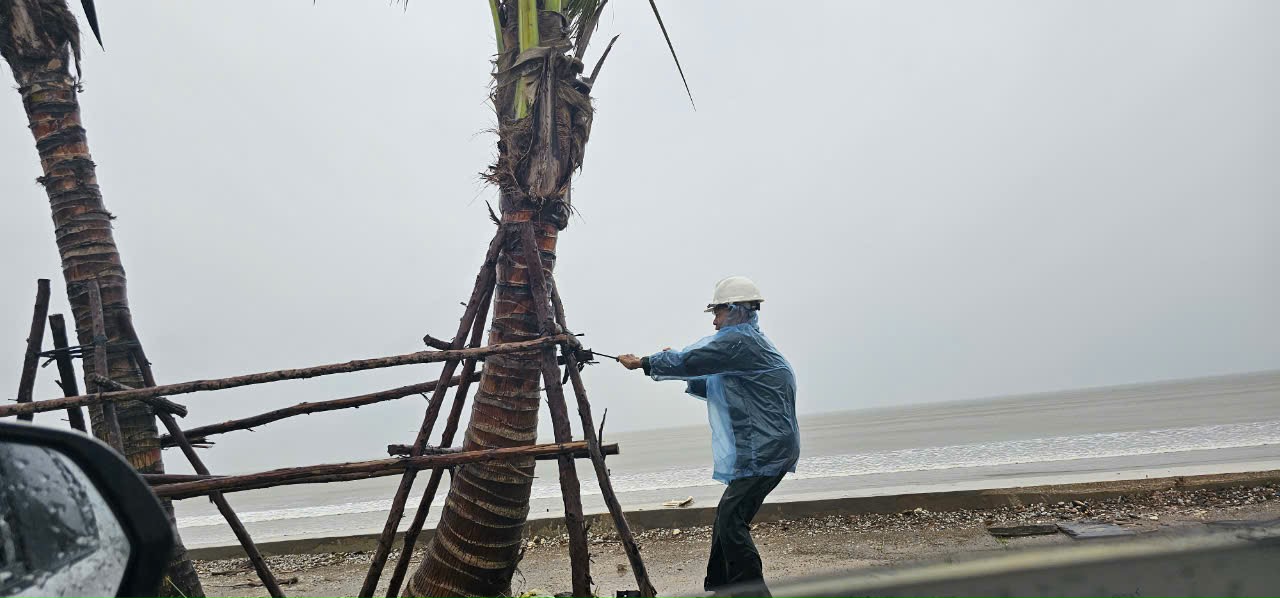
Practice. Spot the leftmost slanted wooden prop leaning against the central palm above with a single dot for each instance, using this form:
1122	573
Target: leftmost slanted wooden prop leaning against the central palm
486	280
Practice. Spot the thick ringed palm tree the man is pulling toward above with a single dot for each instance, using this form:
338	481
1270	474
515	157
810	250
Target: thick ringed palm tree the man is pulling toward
545	113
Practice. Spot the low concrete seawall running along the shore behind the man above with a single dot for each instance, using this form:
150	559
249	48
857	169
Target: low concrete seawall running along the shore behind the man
775	512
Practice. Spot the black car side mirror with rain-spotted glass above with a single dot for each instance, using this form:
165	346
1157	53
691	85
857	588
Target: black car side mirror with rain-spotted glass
75	519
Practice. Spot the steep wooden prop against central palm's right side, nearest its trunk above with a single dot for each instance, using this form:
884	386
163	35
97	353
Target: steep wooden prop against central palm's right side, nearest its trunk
572	490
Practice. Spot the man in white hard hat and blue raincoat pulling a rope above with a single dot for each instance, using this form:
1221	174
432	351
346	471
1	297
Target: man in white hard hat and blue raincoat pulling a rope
751	394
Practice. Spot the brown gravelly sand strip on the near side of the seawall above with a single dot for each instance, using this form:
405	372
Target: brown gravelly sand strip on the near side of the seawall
790	549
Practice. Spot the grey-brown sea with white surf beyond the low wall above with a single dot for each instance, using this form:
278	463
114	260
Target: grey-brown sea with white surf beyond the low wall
1206	426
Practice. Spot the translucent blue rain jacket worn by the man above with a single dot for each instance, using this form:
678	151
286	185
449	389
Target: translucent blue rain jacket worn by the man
751	394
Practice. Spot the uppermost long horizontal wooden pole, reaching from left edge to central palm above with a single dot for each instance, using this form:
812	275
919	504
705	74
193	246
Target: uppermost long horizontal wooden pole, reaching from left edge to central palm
278	376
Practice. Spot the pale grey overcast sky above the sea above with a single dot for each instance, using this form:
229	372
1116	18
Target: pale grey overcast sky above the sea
941	200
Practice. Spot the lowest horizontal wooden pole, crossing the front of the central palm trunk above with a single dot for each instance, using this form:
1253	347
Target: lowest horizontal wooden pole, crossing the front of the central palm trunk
378	468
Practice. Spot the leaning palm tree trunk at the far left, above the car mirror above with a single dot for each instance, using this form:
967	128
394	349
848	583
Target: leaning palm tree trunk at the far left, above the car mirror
38	39
